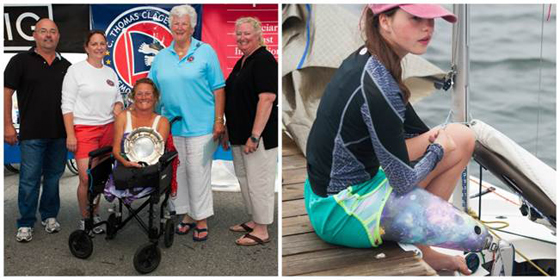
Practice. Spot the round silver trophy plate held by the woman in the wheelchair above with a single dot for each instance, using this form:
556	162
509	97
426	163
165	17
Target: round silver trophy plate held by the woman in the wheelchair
144	144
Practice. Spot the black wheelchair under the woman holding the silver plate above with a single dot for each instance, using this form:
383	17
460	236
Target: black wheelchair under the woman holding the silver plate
147	256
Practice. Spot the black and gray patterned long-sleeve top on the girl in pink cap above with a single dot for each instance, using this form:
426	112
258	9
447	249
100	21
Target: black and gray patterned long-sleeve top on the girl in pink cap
362	123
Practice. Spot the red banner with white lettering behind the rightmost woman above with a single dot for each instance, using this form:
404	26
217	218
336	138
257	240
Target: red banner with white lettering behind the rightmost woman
218	29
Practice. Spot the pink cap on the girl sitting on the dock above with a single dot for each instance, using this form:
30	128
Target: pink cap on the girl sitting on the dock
419	10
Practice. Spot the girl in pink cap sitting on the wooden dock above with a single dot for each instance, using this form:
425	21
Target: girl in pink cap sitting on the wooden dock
362	184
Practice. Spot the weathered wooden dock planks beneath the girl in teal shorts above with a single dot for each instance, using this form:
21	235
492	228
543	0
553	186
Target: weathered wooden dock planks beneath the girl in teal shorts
304	253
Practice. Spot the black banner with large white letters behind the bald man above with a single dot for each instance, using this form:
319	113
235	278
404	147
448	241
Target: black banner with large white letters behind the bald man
20	20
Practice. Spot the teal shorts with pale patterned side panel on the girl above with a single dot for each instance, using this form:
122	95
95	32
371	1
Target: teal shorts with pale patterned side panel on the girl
351	217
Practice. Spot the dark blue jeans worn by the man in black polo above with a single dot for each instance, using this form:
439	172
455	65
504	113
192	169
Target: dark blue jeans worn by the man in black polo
40	159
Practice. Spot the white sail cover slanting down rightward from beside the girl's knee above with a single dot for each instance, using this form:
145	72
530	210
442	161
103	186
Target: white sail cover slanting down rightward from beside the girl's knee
537	171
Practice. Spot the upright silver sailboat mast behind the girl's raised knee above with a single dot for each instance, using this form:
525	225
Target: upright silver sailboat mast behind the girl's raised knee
460	96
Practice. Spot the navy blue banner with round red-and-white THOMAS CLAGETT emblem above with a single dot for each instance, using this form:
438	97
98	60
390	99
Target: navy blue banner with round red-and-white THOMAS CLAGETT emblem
135	34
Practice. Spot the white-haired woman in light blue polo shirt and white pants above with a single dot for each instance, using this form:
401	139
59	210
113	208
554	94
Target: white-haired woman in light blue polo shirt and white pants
191	82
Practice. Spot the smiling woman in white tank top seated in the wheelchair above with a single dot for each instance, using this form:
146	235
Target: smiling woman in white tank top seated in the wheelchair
144	96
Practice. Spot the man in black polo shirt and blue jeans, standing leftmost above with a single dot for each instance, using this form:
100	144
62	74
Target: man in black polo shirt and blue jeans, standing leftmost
36	76
